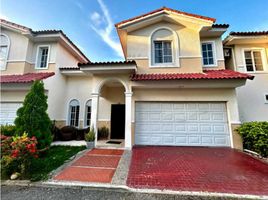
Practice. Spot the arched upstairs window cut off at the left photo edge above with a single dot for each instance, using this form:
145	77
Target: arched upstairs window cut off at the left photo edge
4	48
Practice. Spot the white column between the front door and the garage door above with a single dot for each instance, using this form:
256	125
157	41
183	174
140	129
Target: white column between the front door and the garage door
128	137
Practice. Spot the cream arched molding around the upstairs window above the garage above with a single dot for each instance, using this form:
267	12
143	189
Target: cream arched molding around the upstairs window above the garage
175	45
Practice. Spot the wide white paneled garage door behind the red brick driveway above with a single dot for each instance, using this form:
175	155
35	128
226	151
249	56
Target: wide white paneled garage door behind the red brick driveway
181	124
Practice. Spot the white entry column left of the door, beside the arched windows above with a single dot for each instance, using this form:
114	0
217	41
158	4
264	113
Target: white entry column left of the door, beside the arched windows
94	113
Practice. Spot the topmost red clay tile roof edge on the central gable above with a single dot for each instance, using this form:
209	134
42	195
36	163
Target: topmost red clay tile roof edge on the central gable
166	9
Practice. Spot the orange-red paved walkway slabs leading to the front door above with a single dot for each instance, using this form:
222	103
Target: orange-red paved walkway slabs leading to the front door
97	165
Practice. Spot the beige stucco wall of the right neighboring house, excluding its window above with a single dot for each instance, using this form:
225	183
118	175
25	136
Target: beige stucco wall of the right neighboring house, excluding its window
251	99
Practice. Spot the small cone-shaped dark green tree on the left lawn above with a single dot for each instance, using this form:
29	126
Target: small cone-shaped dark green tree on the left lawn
32	117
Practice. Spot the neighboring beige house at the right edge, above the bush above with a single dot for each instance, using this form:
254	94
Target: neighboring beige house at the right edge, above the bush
248	52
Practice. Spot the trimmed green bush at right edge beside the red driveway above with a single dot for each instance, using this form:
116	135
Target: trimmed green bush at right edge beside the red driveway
255	136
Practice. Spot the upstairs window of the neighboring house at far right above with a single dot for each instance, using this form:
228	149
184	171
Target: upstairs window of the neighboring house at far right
253	60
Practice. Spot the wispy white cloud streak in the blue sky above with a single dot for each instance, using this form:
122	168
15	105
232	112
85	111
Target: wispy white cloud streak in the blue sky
106	32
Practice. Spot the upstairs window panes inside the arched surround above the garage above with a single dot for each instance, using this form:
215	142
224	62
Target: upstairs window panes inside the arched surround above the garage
162	52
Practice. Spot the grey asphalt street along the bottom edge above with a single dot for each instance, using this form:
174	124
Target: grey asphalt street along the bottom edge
83	193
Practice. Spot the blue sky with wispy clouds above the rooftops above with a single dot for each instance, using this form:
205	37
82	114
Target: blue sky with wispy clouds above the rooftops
90	23
